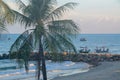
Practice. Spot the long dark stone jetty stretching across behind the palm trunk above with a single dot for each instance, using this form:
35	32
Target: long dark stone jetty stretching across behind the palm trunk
91	58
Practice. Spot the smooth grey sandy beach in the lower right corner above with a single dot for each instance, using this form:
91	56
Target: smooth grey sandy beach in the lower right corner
105	71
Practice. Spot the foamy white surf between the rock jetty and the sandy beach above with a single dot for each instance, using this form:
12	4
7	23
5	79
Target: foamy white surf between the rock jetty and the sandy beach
53	70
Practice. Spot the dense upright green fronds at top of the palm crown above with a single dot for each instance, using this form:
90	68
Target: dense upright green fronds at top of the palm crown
37	9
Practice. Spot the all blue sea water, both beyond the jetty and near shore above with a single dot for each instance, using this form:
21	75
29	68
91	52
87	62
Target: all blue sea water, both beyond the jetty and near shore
7	67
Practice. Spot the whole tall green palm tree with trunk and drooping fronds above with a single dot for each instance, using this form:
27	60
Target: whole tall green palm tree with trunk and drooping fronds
48	33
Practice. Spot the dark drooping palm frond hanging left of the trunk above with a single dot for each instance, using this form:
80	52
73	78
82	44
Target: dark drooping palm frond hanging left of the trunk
21	49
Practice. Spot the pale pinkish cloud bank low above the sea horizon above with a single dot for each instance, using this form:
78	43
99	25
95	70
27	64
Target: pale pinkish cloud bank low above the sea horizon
100	25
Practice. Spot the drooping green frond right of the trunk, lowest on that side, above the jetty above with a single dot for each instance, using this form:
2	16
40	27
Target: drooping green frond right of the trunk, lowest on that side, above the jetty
55	42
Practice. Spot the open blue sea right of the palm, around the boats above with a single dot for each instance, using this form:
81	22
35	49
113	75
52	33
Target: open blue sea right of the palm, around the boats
110	41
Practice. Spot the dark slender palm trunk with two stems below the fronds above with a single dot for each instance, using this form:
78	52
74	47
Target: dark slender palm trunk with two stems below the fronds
41	59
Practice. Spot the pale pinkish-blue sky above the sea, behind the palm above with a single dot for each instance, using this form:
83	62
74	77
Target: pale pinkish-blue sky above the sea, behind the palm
92	16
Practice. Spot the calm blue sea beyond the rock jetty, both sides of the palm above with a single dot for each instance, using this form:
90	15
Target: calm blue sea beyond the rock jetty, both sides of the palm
111	41
